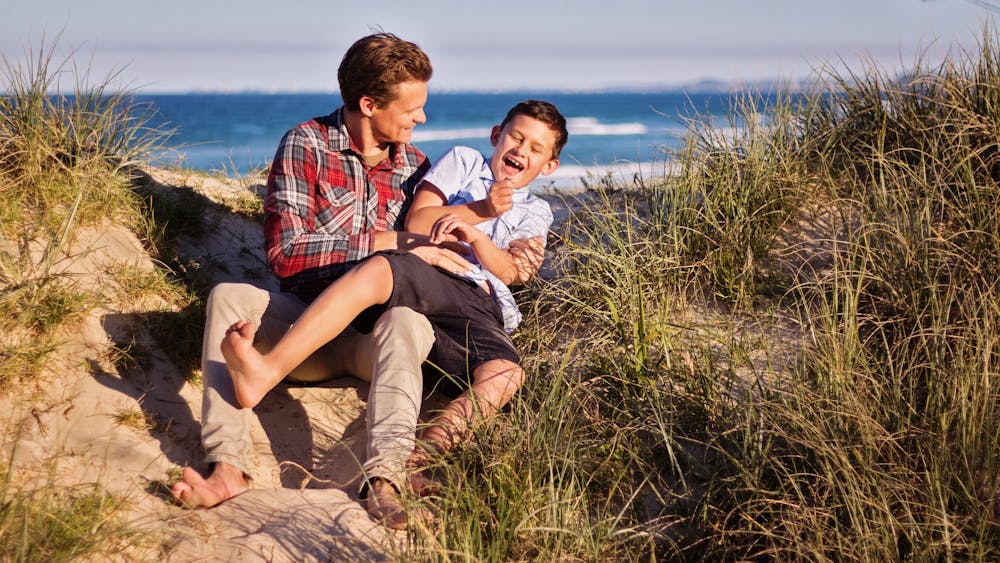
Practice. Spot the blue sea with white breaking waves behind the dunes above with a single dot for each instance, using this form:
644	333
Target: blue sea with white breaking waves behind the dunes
610	133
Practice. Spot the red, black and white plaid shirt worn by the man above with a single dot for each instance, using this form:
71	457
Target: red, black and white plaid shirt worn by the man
323	207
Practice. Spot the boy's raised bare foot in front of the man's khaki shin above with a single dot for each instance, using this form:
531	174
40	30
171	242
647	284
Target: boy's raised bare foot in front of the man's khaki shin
252	378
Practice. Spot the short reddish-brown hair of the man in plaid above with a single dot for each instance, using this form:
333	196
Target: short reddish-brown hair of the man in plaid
376	64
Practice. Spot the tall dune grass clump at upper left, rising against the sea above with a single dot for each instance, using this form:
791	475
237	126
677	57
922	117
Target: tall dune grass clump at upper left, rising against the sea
64	162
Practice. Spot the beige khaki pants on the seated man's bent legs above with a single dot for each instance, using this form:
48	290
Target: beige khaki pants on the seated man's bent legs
389	357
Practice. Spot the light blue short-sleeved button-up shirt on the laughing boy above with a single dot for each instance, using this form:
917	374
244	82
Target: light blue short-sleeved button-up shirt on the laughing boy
463	175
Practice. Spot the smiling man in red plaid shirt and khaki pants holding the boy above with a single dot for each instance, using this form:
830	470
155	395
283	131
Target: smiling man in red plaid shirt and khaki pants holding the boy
338	188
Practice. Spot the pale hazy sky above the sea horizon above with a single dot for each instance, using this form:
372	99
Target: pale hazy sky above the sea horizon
580	45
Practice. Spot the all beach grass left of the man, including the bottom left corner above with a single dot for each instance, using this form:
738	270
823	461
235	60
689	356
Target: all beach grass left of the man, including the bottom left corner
66	164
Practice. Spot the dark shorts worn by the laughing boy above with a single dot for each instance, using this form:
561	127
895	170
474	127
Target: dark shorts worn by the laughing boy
467	322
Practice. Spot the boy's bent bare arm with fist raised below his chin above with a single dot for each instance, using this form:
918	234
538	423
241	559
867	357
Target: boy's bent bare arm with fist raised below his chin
429	205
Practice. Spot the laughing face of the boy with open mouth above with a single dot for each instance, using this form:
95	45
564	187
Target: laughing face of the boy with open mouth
522	150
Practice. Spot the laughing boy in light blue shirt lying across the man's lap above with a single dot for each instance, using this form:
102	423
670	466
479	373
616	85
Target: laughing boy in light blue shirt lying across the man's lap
471	314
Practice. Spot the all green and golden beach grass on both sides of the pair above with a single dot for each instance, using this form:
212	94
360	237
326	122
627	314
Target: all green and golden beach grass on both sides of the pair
786	350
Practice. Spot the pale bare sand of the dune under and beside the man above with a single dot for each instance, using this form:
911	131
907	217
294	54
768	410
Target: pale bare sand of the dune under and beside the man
307	440
